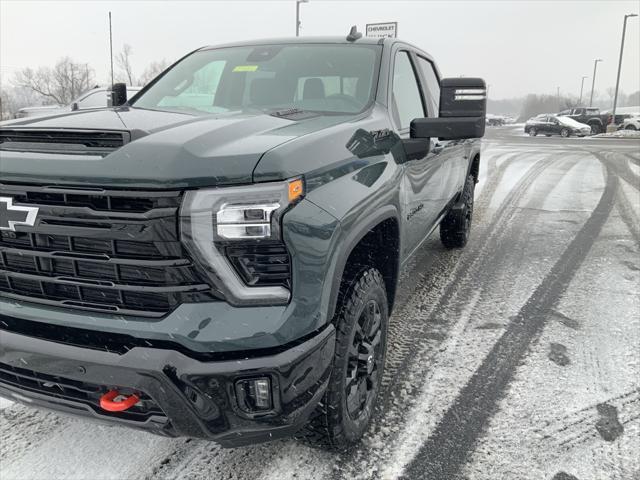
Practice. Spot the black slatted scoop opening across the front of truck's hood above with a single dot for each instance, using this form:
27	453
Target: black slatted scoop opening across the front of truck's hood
96	142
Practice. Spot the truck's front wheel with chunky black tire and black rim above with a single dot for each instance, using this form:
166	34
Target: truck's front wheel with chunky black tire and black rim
344	413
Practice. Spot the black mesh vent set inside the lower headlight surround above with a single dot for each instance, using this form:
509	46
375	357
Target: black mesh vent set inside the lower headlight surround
262	264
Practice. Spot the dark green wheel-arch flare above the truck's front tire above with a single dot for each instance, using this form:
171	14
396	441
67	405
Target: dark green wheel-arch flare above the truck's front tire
352	238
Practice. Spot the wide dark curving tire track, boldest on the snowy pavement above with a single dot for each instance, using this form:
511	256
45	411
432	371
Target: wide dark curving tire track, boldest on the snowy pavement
447	449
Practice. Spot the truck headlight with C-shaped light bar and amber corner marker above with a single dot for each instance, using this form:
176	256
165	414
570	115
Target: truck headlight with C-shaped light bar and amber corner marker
218	223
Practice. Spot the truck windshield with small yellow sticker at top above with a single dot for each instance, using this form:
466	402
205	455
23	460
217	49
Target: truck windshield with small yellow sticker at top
323	78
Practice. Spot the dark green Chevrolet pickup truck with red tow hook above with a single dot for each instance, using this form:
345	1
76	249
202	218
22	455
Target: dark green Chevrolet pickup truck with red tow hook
218	256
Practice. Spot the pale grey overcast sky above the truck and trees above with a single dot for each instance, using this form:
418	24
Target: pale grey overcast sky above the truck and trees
519	47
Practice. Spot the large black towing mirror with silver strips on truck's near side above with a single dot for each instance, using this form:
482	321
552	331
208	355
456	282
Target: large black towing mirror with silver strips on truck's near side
463	111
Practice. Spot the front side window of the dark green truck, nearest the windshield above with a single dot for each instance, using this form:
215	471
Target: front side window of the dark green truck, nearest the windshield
406	99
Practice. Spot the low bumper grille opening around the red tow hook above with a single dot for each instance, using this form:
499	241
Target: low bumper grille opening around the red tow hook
76	391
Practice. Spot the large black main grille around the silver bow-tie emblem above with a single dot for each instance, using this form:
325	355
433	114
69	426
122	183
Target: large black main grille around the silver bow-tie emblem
111	251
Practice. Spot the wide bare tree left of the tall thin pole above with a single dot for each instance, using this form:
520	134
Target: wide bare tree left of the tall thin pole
62	83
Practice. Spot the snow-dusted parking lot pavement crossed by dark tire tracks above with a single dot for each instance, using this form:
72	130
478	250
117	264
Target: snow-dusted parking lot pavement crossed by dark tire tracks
515	358
